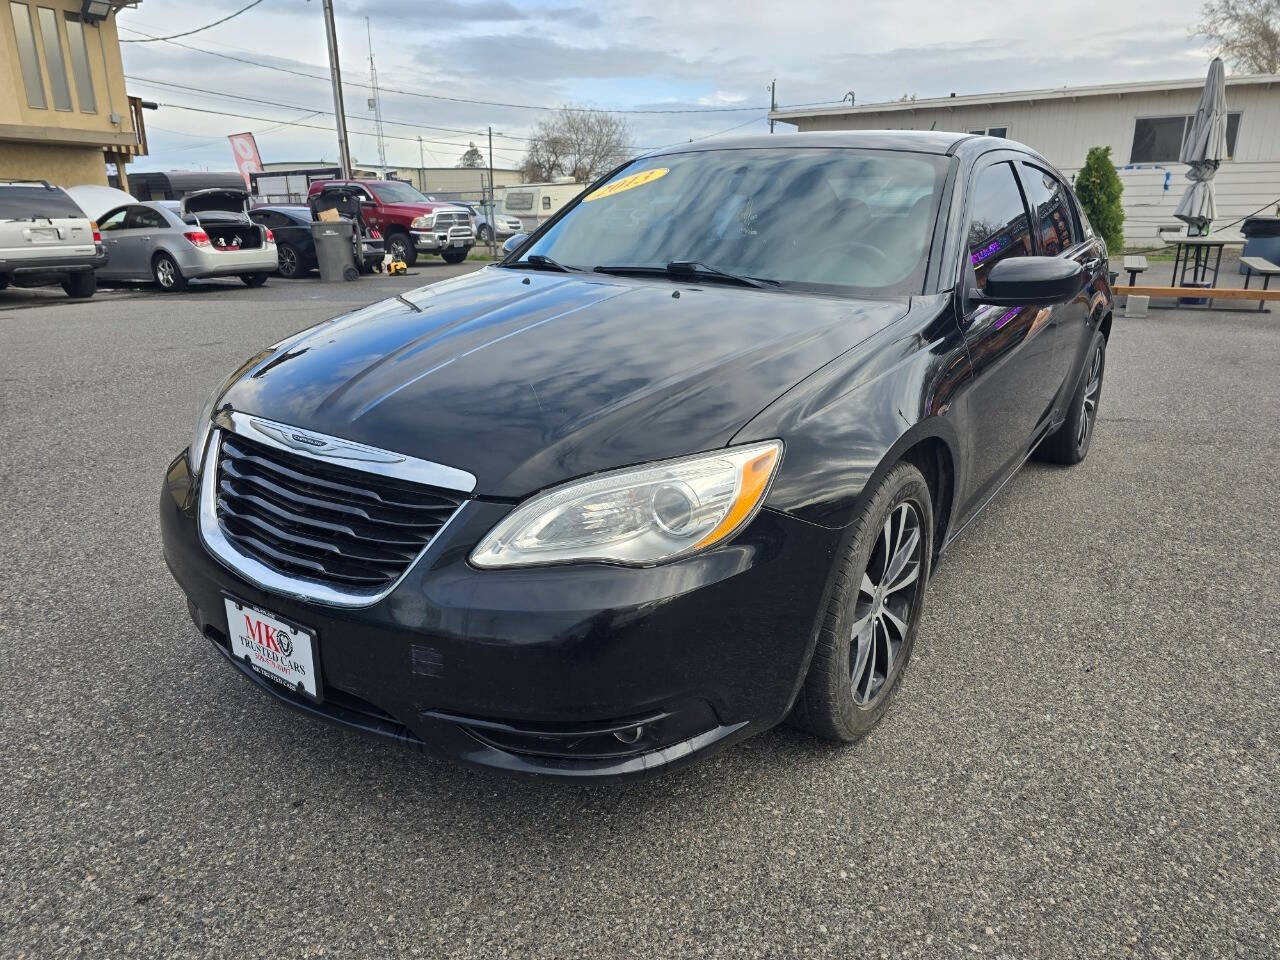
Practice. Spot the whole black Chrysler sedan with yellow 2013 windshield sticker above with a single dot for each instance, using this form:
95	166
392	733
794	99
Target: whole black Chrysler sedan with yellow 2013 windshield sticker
673	472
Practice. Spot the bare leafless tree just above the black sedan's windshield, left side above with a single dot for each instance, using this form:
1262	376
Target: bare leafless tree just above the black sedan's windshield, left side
577	143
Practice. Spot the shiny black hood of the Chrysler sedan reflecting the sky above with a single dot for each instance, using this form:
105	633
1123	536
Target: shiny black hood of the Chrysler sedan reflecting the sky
527	380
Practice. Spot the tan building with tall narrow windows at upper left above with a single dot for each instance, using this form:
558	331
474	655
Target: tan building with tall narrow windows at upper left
65	113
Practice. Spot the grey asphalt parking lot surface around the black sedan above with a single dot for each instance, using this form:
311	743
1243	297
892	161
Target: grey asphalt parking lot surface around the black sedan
1084	761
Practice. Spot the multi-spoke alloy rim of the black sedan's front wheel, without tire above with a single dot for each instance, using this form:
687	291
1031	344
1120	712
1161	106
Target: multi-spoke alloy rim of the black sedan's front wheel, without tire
883	610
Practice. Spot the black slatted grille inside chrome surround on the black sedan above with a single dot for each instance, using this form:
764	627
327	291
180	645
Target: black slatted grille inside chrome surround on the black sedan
324	523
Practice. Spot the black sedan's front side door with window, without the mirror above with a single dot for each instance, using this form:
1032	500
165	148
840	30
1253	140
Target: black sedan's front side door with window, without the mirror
1013	350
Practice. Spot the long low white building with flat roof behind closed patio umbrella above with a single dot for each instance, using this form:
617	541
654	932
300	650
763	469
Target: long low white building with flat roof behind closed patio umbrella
1142	124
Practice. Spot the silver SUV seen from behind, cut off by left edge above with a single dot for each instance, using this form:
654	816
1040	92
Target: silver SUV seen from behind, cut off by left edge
45	239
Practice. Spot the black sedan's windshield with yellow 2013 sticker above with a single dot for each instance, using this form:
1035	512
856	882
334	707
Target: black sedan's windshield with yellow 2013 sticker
847	222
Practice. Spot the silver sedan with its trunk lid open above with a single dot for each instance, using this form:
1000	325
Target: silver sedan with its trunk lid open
205	235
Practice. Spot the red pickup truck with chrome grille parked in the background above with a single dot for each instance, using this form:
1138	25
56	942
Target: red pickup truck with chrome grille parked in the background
410	223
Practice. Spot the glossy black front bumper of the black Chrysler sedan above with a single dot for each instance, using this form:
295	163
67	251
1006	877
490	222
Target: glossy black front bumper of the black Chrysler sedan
582	671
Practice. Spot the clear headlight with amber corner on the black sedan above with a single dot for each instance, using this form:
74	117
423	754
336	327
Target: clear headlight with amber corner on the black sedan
638	516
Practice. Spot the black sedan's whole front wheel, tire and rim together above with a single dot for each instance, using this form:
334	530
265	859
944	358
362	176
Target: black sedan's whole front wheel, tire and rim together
871	621
